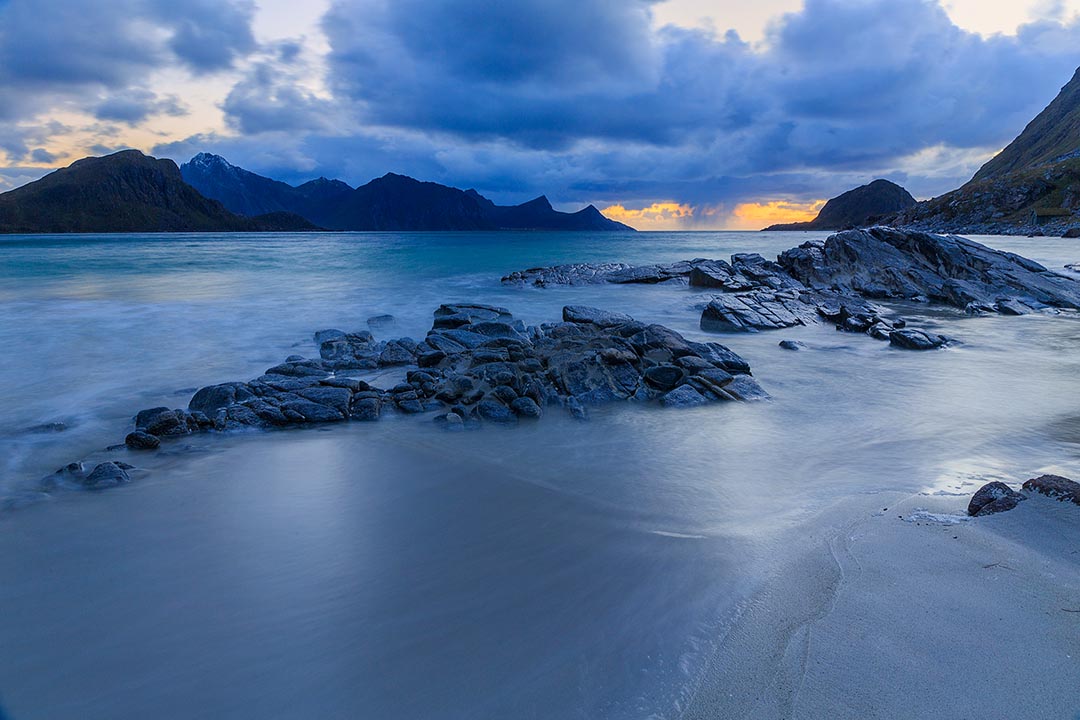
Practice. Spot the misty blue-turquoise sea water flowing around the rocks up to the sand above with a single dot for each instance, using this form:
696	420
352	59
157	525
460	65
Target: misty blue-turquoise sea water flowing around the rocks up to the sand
394	572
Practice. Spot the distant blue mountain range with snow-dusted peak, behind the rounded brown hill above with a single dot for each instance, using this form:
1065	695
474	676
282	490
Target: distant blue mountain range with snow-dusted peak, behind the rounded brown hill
393	202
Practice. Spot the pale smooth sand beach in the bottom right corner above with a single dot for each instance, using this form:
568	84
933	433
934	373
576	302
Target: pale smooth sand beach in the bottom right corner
940	615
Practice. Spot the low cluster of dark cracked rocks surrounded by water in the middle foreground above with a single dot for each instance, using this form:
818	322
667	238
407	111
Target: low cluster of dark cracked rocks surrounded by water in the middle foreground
477	364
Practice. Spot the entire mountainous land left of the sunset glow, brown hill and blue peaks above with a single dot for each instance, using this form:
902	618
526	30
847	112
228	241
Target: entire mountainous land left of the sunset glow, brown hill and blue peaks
129	192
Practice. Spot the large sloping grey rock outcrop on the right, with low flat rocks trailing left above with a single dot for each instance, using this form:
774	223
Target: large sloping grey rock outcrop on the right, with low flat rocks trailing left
839	280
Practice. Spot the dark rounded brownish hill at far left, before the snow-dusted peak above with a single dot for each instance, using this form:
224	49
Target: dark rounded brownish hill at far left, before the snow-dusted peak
125	193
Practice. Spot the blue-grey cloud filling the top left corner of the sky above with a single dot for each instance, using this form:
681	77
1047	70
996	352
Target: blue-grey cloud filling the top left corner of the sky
101	58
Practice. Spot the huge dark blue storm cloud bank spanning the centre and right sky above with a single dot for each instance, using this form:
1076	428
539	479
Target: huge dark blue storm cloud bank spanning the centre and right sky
843	83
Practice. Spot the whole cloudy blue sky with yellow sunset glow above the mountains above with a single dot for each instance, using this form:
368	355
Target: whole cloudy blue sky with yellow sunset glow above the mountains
665	114
